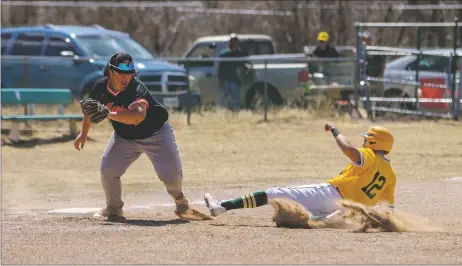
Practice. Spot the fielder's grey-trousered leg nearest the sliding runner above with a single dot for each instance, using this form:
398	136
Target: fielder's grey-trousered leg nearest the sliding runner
163	152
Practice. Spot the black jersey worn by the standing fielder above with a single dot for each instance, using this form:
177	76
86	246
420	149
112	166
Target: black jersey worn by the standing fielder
136	92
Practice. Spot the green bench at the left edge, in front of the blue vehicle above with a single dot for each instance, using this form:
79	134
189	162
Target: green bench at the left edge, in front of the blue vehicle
30	97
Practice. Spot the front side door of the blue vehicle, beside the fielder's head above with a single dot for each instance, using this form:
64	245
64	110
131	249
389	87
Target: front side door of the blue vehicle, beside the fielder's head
65	62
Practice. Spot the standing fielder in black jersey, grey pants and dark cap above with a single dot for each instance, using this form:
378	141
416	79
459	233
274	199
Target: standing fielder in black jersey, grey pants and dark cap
140	125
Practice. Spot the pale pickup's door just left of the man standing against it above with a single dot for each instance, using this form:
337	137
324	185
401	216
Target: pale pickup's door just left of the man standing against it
204	73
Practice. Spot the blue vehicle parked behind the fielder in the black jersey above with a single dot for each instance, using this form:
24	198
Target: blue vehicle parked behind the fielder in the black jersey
66	56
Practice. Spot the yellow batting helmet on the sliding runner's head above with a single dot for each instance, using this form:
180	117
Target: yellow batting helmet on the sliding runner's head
379	139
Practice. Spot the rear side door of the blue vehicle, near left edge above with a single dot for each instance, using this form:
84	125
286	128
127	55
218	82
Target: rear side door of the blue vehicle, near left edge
23	65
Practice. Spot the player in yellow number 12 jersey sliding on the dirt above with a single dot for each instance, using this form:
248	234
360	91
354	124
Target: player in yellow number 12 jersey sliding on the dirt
368	179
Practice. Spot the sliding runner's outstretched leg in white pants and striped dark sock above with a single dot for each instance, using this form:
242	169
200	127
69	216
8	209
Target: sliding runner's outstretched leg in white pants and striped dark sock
319	199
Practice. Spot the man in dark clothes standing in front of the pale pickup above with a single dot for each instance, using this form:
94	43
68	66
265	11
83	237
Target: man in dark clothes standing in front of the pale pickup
228	75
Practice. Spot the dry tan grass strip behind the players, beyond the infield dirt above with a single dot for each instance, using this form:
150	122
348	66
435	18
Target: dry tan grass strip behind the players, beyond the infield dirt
219	148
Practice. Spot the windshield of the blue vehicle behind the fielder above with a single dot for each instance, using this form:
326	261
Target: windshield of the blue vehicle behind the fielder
105	46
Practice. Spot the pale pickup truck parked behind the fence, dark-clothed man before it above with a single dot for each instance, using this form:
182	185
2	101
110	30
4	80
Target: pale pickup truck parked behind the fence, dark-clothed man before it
285	80
